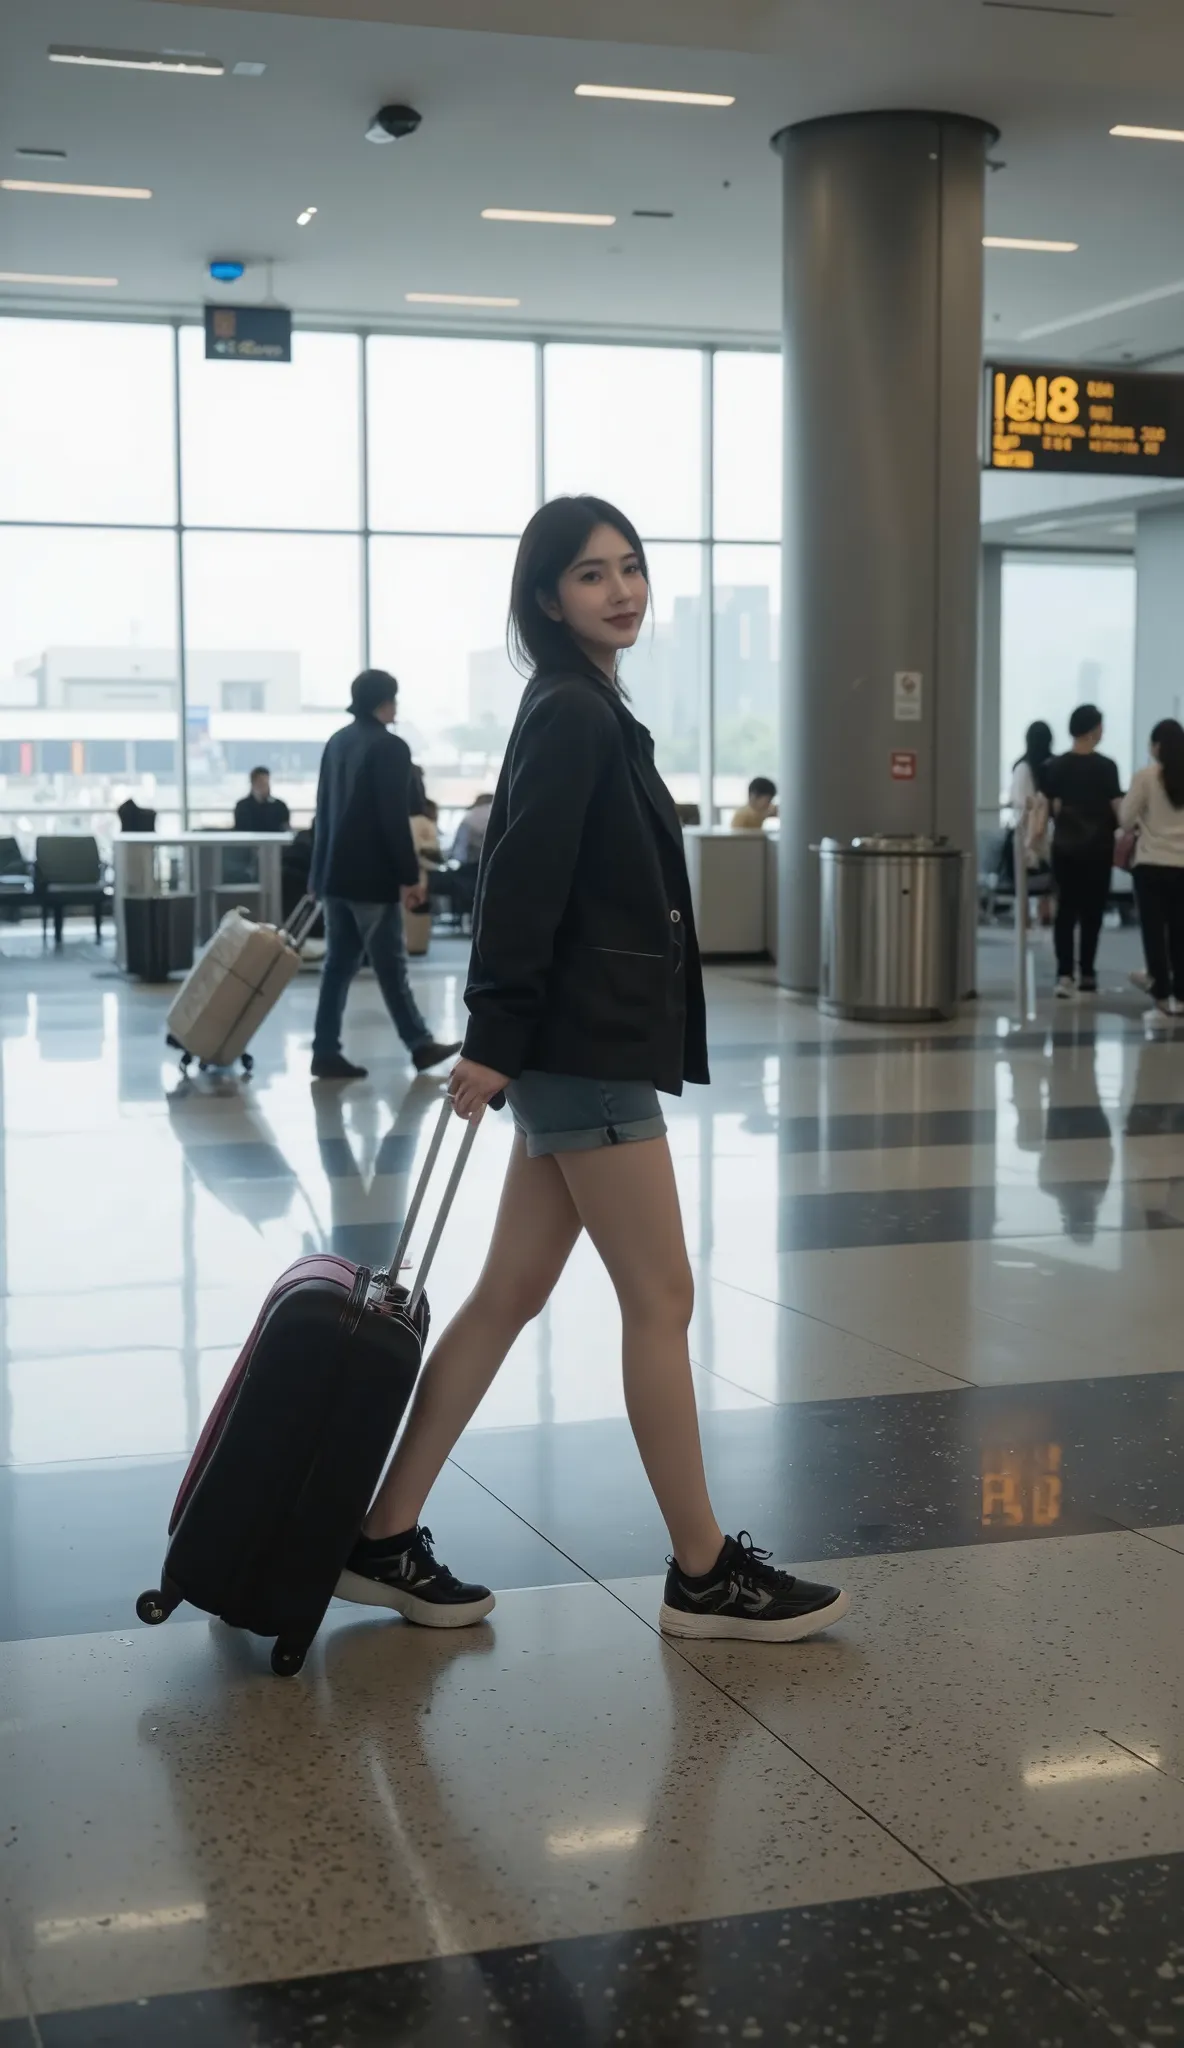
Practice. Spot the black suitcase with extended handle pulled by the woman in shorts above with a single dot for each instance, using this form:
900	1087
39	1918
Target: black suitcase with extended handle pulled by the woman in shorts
298	1439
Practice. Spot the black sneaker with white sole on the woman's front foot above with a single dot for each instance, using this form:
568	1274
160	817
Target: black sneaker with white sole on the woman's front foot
745	1596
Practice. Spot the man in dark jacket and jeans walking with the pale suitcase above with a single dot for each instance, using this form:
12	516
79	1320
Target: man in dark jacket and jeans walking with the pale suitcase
366	869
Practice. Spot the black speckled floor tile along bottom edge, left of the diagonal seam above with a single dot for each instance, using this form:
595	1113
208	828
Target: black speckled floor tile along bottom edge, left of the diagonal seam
919	1967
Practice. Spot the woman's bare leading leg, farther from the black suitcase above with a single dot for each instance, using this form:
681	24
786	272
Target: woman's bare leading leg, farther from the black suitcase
628	1201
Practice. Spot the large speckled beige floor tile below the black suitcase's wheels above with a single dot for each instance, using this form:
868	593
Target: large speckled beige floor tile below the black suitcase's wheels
183	1820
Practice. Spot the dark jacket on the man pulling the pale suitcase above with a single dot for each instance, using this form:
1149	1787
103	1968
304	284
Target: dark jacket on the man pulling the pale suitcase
364	826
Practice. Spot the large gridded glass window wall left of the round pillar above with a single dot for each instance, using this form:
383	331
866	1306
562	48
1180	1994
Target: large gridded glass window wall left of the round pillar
196	558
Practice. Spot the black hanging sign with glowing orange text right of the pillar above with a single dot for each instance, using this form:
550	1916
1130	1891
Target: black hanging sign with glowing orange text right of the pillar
1095	423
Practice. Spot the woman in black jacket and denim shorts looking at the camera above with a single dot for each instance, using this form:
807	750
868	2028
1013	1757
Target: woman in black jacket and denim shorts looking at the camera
585	1000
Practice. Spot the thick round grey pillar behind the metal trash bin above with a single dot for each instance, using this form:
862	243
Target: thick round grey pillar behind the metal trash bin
884	310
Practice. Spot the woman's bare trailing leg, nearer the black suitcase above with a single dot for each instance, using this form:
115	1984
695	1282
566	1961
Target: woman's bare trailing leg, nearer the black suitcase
532	1244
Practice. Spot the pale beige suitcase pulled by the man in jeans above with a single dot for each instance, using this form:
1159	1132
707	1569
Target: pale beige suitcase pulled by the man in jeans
237	982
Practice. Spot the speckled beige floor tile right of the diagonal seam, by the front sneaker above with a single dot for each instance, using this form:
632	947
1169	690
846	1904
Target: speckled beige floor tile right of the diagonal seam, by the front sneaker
999	1709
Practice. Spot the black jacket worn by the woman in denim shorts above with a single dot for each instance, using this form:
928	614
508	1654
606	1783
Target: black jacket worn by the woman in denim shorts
585	953
